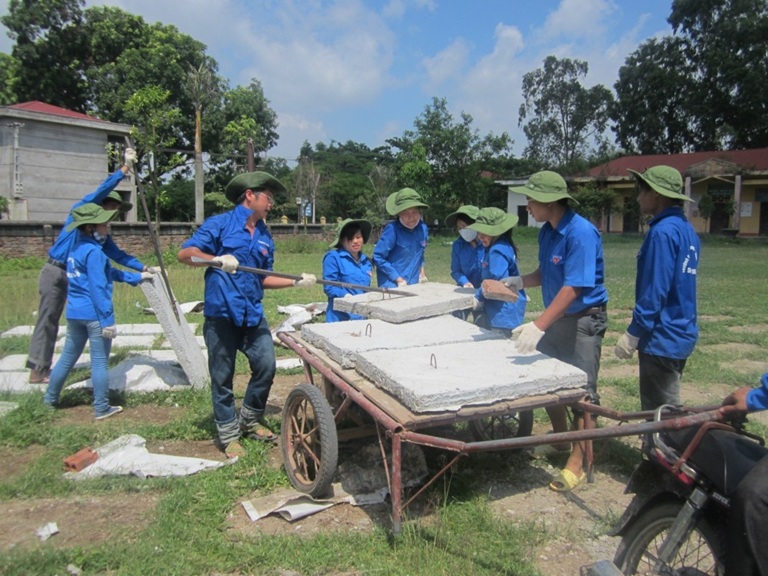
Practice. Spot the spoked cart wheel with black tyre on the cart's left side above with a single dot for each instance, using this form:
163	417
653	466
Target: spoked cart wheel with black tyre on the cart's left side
308	440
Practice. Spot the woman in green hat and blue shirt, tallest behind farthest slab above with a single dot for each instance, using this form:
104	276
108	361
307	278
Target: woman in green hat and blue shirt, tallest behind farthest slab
399	252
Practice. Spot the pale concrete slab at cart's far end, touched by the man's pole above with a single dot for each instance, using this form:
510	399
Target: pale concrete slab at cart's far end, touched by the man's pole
430	299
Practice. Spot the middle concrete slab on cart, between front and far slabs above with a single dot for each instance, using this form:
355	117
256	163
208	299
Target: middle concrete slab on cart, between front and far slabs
342	341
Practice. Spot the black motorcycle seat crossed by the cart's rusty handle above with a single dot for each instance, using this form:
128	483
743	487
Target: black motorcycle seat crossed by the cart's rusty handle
723	457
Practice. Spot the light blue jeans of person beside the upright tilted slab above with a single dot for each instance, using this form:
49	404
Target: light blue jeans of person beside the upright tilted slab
78	333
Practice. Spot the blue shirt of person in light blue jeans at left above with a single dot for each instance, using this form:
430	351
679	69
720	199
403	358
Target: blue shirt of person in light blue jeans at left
90	276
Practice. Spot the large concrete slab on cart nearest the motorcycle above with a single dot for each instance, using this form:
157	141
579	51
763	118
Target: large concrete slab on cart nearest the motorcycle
450	376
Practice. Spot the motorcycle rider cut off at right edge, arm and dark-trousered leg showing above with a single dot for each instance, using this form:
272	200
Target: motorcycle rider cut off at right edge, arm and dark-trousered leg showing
746	553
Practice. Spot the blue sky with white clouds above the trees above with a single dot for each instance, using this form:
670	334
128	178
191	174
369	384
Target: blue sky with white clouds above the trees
365	70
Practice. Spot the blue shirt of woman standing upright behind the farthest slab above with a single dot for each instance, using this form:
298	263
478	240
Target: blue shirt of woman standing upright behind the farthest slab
400	253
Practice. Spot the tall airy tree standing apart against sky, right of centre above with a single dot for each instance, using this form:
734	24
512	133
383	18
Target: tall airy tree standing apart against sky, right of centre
561	118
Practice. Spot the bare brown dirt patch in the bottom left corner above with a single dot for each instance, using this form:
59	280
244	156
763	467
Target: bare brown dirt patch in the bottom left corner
82	521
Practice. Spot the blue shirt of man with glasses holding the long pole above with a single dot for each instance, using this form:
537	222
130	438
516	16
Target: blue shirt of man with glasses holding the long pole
234	296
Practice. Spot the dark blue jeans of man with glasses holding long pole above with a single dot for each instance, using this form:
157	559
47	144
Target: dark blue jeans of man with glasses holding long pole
223	339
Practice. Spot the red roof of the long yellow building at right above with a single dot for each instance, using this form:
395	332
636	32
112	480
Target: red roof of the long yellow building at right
752	160
